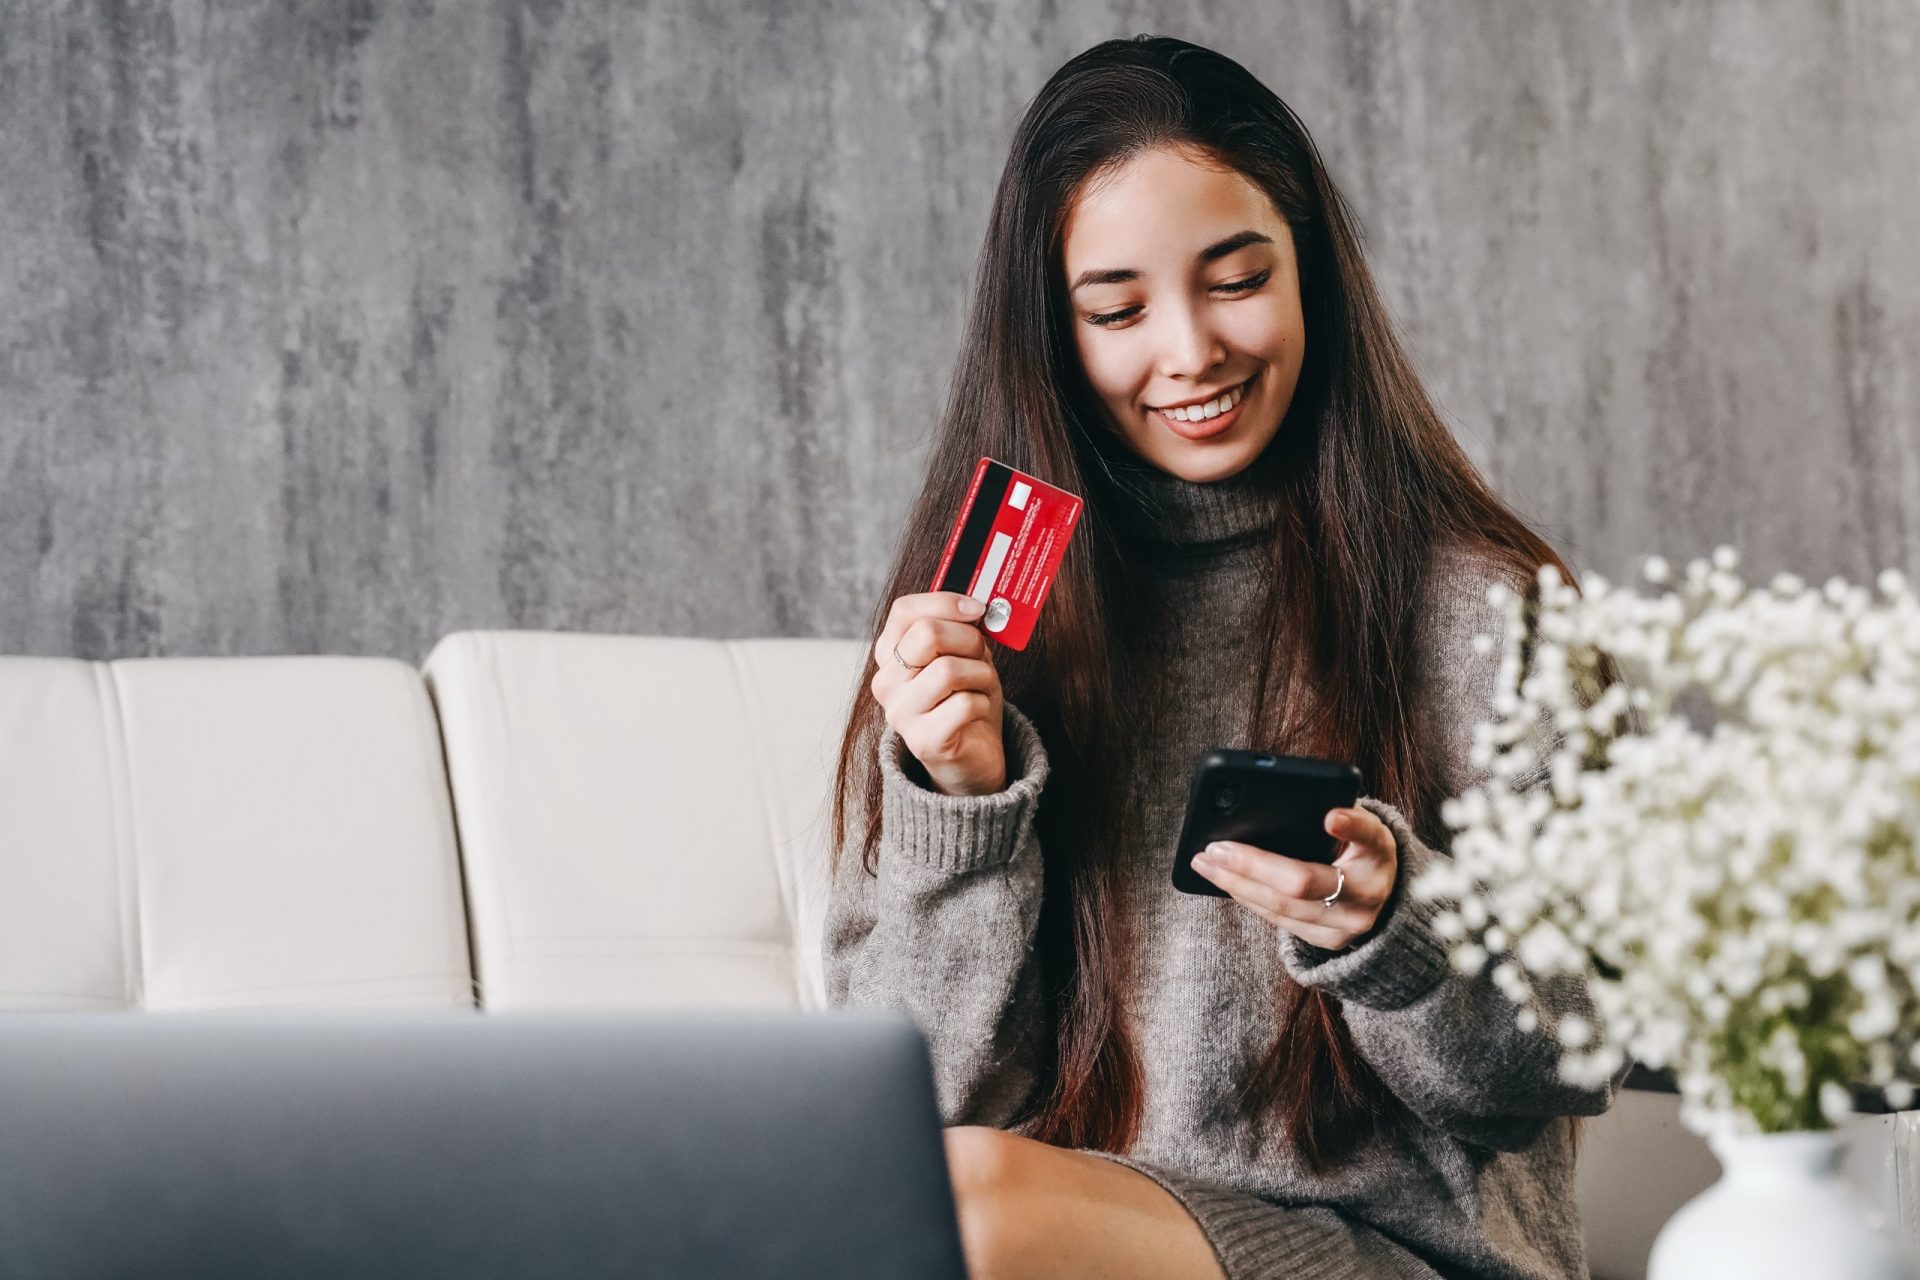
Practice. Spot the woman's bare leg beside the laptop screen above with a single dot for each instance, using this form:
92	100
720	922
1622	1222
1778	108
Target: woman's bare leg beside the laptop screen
1034	1210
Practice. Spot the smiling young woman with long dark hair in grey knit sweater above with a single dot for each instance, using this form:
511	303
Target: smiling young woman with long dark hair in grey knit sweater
1285	550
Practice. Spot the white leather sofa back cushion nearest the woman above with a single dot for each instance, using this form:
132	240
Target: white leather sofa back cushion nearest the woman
642	818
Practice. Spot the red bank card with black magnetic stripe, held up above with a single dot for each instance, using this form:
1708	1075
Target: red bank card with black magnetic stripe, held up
1007	546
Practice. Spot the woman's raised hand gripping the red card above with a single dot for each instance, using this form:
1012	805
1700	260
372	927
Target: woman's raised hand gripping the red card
949	709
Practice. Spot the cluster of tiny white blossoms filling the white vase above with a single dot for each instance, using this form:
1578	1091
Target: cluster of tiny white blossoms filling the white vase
1725	841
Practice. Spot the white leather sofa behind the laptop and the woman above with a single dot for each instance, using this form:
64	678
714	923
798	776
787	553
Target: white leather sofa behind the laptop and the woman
531	820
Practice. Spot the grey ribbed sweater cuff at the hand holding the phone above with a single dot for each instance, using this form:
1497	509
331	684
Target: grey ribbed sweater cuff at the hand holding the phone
1401	959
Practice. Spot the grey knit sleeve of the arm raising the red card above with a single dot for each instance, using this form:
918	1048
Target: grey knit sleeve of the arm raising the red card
948	922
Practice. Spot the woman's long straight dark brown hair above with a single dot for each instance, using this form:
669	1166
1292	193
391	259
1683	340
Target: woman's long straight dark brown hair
1370	483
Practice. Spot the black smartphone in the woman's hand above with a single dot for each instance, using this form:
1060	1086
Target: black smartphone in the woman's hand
1274	803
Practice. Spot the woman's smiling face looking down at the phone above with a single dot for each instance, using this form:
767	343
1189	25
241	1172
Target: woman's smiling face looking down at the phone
1182	287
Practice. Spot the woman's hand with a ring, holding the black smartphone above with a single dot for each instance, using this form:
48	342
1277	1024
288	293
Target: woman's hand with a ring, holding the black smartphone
1293	893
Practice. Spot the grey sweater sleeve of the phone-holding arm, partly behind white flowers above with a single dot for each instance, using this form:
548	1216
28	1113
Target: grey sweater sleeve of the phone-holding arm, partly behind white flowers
1451	1045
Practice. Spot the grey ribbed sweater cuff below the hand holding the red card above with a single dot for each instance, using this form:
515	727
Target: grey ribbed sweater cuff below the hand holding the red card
961	834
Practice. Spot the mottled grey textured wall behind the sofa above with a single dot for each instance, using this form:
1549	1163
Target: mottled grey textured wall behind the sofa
339	327
